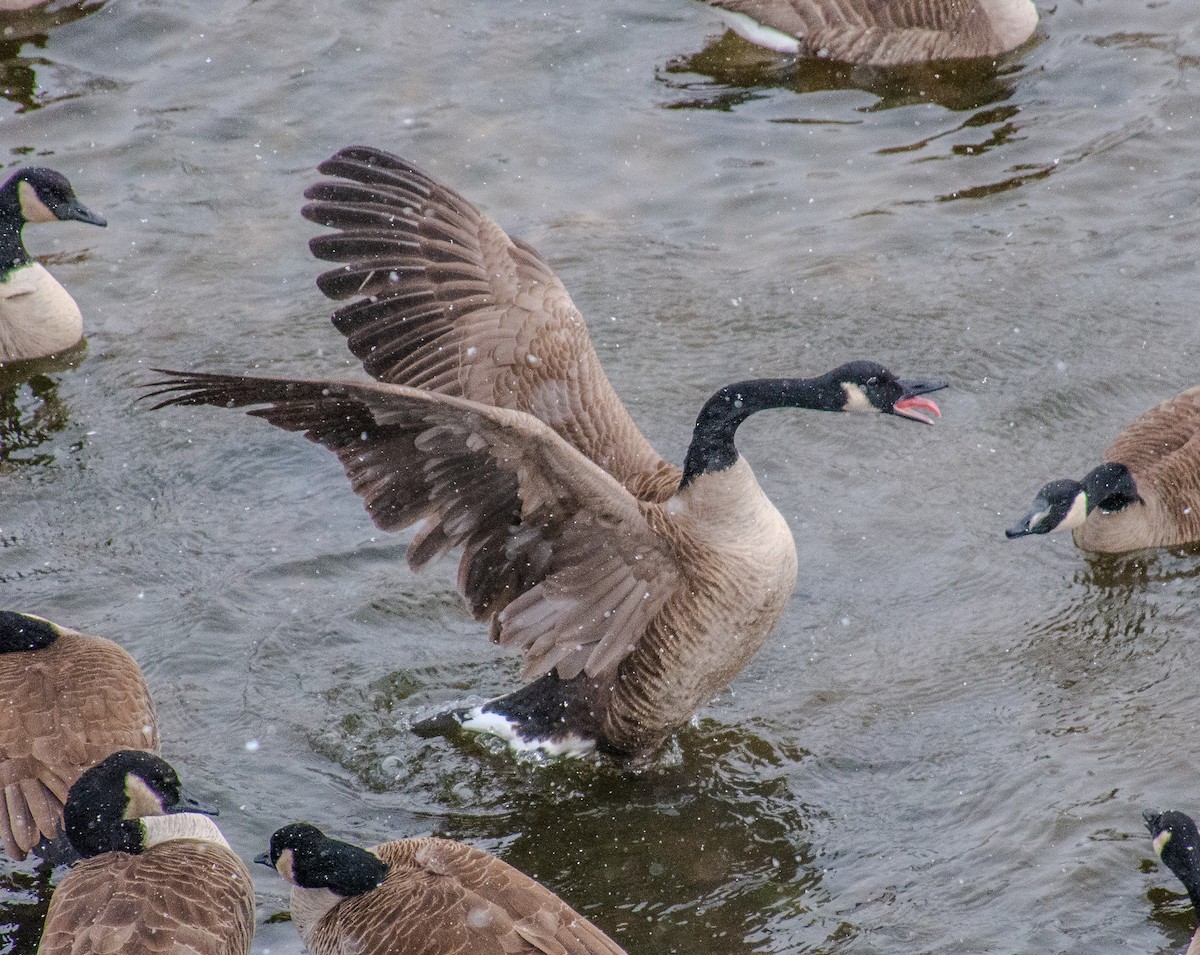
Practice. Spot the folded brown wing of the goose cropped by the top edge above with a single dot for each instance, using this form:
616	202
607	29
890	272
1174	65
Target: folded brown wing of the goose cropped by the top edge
878	32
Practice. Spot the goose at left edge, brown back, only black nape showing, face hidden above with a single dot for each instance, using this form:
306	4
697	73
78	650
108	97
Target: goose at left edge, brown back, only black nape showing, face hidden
67	702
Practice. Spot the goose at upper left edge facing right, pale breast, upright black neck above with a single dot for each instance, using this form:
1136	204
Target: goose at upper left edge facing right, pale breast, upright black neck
38	316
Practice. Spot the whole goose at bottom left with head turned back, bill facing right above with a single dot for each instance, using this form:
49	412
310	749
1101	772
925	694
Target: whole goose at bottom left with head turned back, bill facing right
149	882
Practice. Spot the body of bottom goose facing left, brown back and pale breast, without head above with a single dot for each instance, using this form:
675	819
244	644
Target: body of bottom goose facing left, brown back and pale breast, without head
442	898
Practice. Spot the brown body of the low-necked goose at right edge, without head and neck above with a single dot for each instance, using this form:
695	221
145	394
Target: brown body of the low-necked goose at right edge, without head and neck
1162	451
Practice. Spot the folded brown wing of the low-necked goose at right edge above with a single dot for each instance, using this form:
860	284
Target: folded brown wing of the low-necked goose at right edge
1162	448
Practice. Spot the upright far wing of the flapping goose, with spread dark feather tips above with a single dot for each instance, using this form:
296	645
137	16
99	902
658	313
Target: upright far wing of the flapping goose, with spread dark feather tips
451	304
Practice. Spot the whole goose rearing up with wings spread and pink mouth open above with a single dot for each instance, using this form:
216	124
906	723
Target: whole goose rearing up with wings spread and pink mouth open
635	590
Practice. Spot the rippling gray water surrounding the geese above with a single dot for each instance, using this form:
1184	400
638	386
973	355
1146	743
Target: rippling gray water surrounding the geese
946	746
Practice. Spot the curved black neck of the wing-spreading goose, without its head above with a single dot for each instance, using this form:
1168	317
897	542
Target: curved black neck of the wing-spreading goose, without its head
712	441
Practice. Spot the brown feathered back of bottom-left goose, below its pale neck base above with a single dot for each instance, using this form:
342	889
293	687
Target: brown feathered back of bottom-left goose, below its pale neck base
179	898
